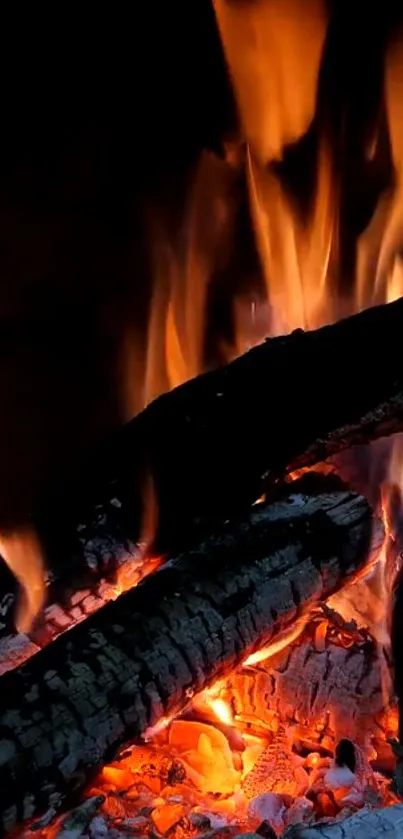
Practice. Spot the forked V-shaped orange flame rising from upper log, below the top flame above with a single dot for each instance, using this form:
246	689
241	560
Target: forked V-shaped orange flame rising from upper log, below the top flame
294	255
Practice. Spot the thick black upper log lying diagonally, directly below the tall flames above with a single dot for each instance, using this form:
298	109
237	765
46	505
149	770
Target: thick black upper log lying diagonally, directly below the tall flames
213	445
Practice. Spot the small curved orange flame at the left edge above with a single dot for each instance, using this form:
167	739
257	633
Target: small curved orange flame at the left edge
23	554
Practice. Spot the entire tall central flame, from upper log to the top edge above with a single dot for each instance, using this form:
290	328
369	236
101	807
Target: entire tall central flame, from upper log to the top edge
273	49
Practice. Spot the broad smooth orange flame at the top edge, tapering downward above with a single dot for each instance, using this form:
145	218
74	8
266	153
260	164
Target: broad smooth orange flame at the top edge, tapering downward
273	50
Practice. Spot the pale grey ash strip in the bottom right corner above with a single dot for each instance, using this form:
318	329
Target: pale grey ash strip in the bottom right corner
367	824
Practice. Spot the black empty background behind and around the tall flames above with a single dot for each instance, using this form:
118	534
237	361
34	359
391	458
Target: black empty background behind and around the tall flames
99	112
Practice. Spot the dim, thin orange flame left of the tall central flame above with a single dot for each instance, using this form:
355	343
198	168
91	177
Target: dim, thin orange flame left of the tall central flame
183	269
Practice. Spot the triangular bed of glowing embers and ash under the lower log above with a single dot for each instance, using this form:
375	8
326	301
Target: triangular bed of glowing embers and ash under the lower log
292	747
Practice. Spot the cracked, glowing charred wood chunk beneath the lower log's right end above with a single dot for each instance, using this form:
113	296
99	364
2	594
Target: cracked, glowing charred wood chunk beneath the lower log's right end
328	684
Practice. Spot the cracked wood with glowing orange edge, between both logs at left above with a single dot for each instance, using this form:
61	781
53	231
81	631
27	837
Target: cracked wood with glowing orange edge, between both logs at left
91	558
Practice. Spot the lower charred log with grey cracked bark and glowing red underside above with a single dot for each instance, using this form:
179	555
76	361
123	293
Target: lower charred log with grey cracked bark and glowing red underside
137	661
